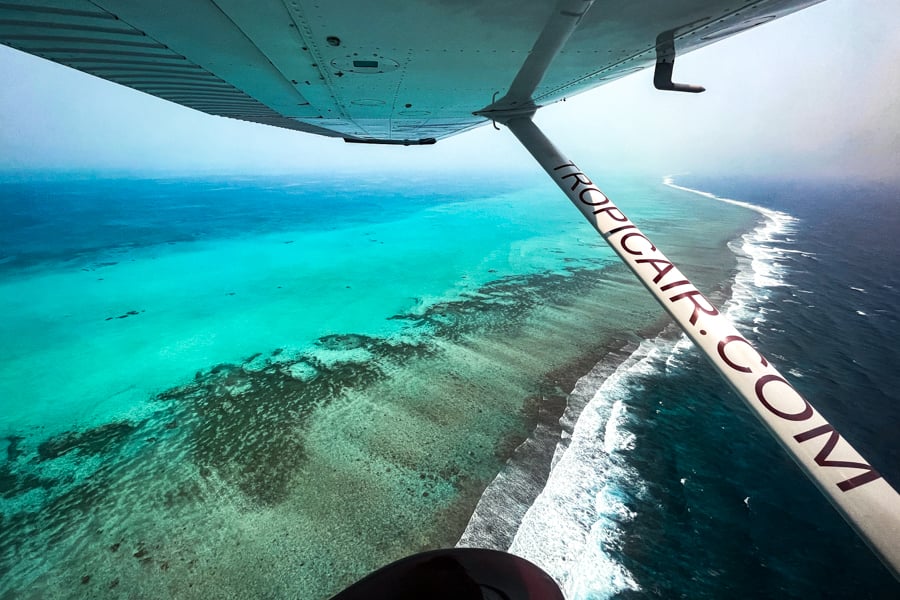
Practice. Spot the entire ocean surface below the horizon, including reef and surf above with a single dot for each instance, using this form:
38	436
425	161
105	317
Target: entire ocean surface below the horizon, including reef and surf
232	387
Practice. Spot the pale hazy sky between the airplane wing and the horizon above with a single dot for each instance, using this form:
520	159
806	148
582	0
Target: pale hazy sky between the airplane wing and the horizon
815	93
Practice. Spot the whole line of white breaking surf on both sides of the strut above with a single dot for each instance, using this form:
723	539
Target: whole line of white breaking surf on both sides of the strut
573	529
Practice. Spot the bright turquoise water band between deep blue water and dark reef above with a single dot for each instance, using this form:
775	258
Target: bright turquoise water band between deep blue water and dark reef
222	299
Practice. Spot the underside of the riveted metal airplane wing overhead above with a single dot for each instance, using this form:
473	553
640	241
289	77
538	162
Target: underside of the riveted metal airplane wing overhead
392	71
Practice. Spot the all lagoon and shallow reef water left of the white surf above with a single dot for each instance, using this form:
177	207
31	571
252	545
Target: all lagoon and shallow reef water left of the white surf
234	388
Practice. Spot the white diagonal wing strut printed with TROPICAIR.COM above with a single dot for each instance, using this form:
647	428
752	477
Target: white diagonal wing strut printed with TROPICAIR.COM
857	491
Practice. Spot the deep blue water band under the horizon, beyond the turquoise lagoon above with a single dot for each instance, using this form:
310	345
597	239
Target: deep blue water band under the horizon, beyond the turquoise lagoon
44	218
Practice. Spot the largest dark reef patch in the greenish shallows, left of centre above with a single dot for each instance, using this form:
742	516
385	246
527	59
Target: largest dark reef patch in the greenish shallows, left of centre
248	424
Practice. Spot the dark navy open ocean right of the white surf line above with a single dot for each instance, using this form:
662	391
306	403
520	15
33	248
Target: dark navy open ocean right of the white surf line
829	319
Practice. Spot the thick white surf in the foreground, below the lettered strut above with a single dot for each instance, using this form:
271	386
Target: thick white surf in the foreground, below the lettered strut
574	523
